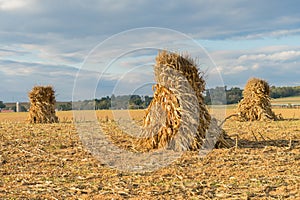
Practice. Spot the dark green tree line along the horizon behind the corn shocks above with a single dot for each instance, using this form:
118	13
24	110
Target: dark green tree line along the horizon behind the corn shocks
217	95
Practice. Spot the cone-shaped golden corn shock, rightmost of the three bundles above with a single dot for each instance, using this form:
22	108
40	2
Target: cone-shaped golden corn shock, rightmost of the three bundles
256	105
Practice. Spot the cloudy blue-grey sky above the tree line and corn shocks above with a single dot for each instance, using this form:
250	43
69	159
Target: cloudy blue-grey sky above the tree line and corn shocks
89	48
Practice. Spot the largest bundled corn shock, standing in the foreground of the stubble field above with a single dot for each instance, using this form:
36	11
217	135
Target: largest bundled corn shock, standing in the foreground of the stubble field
177	117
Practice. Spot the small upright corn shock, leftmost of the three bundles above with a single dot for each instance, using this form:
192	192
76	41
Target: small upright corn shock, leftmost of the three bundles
42	105
